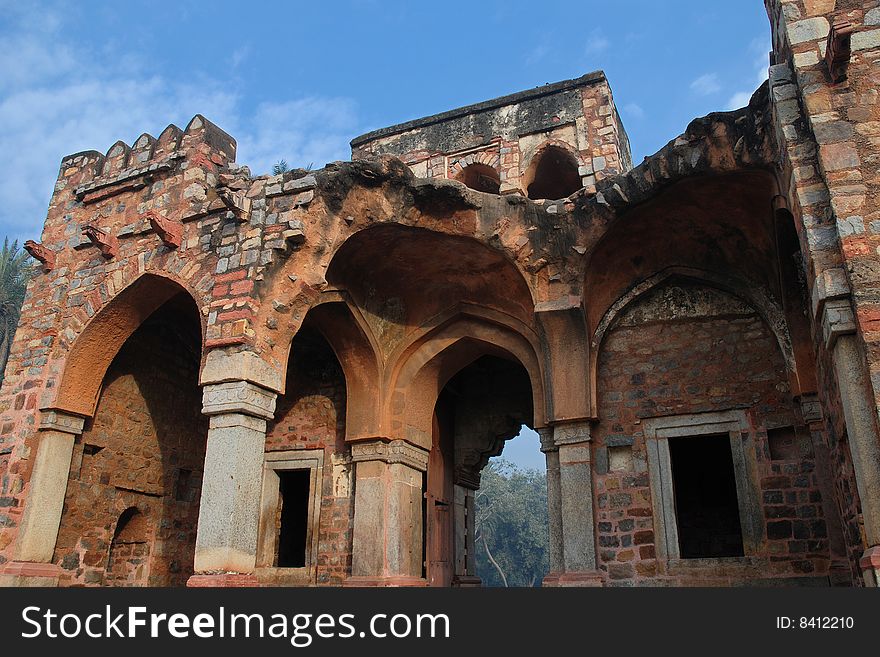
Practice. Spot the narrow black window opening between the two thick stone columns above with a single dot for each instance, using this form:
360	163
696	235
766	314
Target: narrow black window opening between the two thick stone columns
292	518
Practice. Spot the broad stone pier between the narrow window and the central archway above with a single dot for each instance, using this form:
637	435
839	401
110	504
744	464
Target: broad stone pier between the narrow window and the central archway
387	544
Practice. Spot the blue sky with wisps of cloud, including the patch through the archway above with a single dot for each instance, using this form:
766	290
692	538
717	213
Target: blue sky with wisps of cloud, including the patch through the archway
297	80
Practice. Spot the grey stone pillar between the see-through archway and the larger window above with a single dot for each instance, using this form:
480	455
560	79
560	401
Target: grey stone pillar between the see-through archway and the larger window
572	440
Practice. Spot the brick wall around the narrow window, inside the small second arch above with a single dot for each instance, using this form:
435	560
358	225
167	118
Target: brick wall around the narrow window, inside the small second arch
311	415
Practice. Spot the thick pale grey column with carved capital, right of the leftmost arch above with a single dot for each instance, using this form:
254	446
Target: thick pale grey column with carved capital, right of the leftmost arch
229	510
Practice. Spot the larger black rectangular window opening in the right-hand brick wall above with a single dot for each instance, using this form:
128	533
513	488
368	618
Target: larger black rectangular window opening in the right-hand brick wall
706	506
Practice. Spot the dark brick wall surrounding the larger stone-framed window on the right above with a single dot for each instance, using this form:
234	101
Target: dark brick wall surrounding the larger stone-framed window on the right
680	350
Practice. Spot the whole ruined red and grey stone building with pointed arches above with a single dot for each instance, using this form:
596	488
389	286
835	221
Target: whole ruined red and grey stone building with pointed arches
221	379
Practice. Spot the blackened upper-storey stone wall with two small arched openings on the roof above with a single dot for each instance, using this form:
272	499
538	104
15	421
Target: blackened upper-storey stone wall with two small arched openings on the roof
507	133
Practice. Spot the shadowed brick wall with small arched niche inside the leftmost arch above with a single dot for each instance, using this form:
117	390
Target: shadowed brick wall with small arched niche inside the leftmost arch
143	450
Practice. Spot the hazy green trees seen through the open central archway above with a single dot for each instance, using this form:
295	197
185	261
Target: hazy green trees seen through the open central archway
510	529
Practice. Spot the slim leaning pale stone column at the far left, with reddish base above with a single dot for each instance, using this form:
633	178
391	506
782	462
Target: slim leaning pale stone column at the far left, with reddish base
38	531
